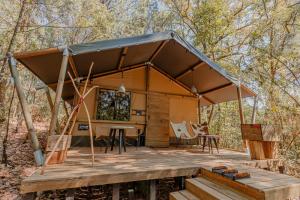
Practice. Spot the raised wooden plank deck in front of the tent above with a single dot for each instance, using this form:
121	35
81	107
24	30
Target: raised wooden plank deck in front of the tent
146	164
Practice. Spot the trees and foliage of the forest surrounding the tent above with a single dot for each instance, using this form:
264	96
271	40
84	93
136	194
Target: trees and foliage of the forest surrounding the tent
258	41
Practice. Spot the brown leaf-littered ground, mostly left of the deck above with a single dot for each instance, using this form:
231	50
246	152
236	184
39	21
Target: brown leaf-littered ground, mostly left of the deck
20	162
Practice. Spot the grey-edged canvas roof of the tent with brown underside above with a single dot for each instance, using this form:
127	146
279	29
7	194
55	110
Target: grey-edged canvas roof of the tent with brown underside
166	51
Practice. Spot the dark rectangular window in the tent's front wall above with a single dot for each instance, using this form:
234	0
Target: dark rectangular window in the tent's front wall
113	105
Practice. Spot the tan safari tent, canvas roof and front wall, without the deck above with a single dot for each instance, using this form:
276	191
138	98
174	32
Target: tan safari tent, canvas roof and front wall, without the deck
158	71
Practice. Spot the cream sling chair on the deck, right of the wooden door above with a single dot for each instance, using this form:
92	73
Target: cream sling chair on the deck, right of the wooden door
181	132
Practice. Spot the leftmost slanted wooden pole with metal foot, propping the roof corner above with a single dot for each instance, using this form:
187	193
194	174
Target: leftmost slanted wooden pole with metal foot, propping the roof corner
38	155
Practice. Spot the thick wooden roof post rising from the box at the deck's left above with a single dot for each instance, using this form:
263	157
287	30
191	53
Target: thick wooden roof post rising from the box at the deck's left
59	88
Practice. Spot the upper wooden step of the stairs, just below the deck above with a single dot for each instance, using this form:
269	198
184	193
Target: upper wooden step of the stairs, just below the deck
205	189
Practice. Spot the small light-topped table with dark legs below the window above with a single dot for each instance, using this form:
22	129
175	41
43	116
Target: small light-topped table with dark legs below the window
120	129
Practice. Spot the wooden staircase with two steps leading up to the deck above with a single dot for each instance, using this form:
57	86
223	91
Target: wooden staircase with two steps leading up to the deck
203	189
